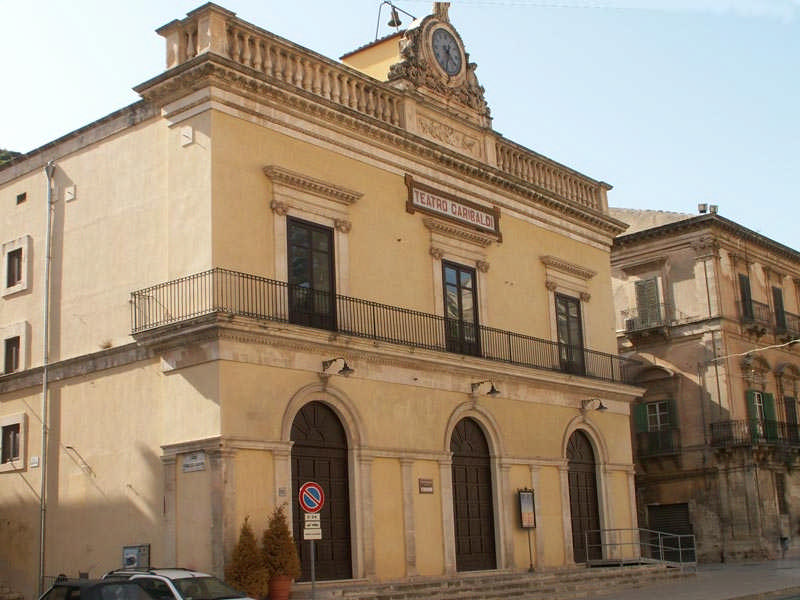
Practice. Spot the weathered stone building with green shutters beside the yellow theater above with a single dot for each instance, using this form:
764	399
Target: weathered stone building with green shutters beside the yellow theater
710	310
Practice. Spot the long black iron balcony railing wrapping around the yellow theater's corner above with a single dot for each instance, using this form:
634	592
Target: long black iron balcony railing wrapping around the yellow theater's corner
224	292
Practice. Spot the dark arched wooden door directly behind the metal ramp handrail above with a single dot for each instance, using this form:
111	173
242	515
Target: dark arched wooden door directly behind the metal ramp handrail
584	511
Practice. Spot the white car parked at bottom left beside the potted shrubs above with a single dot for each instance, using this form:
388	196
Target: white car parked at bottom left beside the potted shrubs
178	584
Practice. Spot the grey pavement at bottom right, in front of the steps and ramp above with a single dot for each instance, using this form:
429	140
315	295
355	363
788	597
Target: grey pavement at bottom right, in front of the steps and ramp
776	579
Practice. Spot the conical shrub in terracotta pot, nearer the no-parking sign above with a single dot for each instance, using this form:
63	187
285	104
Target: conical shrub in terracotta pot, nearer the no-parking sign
279	555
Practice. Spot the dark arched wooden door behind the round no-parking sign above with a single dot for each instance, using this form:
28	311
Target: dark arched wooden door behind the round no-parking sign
319	453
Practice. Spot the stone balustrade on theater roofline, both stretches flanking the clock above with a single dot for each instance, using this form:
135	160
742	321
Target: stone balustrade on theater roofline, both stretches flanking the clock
212	29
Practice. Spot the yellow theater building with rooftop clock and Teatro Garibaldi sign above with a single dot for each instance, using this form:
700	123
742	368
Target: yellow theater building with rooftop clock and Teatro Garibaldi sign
276	268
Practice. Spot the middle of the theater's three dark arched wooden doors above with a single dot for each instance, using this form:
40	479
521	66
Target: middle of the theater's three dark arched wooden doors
473	506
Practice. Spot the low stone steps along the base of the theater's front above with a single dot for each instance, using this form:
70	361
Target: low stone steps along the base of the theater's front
566	584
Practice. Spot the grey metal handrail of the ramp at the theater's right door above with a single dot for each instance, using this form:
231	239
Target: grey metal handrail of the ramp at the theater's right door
639	546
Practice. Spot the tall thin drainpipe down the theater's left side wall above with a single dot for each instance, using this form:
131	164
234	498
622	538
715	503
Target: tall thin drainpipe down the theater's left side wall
49	170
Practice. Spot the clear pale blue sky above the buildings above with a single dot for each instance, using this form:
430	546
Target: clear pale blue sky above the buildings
673	102
